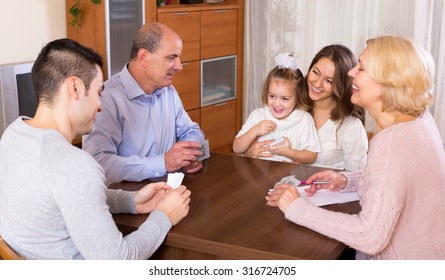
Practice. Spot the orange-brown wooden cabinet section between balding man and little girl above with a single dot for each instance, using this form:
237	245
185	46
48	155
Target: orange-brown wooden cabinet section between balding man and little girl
208	31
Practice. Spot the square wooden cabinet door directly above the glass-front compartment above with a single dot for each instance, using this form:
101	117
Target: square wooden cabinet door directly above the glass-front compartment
218	33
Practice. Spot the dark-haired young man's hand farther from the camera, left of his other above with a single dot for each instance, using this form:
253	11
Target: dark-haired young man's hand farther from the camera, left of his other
145	199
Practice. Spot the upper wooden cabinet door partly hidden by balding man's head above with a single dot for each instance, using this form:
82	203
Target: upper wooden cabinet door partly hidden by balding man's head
187	25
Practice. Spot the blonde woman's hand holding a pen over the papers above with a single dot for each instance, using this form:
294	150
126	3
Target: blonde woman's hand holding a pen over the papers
337	182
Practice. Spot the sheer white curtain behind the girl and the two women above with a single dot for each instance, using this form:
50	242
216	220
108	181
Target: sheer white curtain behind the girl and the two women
303	27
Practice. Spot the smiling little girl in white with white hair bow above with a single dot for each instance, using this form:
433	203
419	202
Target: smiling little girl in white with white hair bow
282	117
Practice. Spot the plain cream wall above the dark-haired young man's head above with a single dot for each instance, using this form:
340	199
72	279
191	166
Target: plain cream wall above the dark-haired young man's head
27	25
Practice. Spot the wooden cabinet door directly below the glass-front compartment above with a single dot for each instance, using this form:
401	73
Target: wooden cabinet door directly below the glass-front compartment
218	123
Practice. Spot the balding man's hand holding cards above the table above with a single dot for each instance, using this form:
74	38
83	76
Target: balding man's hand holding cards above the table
183	155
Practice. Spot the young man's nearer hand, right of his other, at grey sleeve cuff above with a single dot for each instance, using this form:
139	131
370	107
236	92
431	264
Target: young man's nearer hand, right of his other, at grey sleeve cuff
175	204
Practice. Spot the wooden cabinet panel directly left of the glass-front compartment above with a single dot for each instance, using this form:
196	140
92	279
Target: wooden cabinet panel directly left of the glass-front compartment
187	84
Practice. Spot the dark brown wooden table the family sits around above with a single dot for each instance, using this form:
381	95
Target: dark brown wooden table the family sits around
229	218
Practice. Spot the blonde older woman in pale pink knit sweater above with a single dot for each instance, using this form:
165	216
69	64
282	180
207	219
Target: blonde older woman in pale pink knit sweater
402	190
